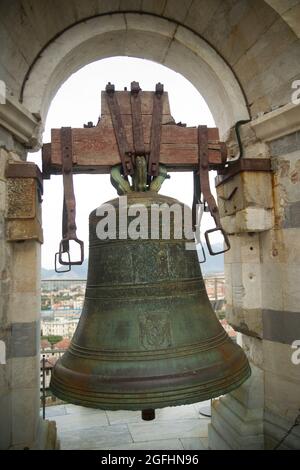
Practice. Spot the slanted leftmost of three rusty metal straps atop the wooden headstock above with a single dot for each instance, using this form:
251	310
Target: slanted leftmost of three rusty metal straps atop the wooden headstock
124	150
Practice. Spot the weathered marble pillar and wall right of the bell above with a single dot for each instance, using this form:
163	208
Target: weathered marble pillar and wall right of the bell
262	273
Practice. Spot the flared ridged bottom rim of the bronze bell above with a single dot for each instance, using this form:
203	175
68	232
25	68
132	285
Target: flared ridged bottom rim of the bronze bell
196	390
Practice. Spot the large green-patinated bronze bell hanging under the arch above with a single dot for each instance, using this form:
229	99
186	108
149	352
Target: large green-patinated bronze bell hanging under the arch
147	337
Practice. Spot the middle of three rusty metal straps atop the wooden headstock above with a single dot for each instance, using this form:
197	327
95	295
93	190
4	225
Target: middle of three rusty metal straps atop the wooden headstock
137	121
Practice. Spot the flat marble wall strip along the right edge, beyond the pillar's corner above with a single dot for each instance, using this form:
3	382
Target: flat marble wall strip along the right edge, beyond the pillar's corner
281	296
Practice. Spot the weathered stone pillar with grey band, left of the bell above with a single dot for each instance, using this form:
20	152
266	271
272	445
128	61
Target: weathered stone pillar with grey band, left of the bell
20	423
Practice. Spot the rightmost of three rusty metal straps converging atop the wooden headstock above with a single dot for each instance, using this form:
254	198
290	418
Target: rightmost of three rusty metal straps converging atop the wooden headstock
153	164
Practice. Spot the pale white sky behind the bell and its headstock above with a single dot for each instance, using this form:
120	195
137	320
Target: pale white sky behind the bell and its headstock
79	101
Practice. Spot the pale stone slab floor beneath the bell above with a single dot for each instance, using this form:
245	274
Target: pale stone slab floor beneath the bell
181	427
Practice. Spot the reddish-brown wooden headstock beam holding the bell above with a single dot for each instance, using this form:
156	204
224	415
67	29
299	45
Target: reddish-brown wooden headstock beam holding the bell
95	149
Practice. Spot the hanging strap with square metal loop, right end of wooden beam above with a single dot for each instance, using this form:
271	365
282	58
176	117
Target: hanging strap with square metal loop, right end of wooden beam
205	189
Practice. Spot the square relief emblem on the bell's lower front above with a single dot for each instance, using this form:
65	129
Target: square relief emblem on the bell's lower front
155	331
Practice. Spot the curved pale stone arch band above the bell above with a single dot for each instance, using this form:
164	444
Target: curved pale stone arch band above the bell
144	36
